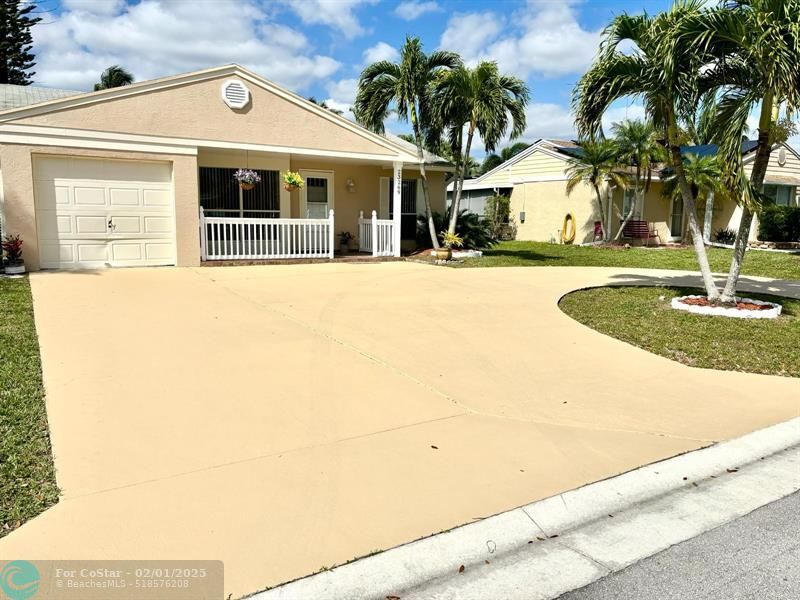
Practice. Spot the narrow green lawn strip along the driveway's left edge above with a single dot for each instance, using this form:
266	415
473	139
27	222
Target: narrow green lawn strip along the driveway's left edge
27	476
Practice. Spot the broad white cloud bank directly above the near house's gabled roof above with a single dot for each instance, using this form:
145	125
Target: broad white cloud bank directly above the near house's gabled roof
152	39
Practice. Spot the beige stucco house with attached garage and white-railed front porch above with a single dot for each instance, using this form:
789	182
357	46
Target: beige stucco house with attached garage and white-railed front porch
119	177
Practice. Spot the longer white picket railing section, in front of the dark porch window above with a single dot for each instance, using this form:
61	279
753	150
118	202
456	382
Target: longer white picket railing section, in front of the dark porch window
227	238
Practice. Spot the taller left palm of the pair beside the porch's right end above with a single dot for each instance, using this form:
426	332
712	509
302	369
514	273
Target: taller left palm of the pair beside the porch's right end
406	85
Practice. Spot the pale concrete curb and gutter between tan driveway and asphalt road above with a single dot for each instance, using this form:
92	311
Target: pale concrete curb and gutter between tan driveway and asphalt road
399	570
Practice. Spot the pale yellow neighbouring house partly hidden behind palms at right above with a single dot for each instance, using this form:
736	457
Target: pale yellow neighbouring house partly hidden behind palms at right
536	181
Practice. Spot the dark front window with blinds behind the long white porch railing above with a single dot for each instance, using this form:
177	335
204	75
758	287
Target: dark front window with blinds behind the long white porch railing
221	196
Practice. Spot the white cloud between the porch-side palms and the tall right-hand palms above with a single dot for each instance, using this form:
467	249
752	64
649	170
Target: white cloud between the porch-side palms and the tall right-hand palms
544	38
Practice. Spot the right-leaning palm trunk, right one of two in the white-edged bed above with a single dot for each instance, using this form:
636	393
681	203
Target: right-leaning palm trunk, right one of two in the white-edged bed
757	175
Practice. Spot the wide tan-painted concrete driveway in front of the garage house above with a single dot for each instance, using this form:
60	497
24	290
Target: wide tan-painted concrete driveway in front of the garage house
287	418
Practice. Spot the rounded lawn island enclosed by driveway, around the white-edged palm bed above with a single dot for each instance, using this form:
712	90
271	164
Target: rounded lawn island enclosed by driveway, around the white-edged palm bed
643	317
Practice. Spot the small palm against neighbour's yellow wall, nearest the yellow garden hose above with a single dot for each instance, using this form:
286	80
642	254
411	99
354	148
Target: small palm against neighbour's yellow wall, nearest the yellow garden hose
596	163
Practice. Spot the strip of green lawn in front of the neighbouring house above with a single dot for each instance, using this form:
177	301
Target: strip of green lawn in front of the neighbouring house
536	254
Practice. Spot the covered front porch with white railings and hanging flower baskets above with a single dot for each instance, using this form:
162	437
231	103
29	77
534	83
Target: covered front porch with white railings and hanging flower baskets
375	201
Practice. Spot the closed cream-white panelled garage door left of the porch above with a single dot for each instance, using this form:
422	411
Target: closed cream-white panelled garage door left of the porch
97	213
